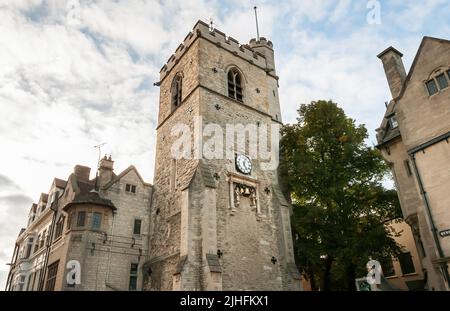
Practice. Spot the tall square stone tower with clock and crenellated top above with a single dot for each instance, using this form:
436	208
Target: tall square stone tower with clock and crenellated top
218	223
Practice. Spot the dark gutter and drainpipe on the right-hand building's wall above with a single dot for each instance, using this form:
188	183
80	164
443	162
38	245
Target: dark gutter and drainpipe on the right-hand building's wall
434	231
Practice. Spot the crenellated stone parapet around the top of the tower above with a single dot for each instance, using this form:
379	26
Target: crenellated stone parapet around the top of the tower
245	51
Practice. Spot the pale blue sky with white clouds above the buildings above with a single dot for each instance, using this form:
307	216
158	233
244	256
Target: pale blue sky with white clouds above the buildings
76	73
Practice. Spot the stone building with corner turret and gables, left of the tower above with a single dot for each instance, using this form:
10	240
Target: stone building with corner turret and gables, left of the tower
86	234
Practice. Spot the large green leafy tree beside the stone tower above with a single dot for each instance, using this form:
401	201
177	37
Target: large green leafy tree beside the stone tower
341	209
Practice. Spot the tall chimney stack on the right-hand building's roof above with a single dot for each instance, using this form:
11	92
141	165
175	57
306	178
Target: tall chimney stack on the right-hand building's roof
394	69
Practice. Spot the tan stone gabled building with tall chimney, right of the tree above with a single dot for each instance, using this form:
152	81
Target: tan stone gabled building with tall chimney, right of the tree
414	140
